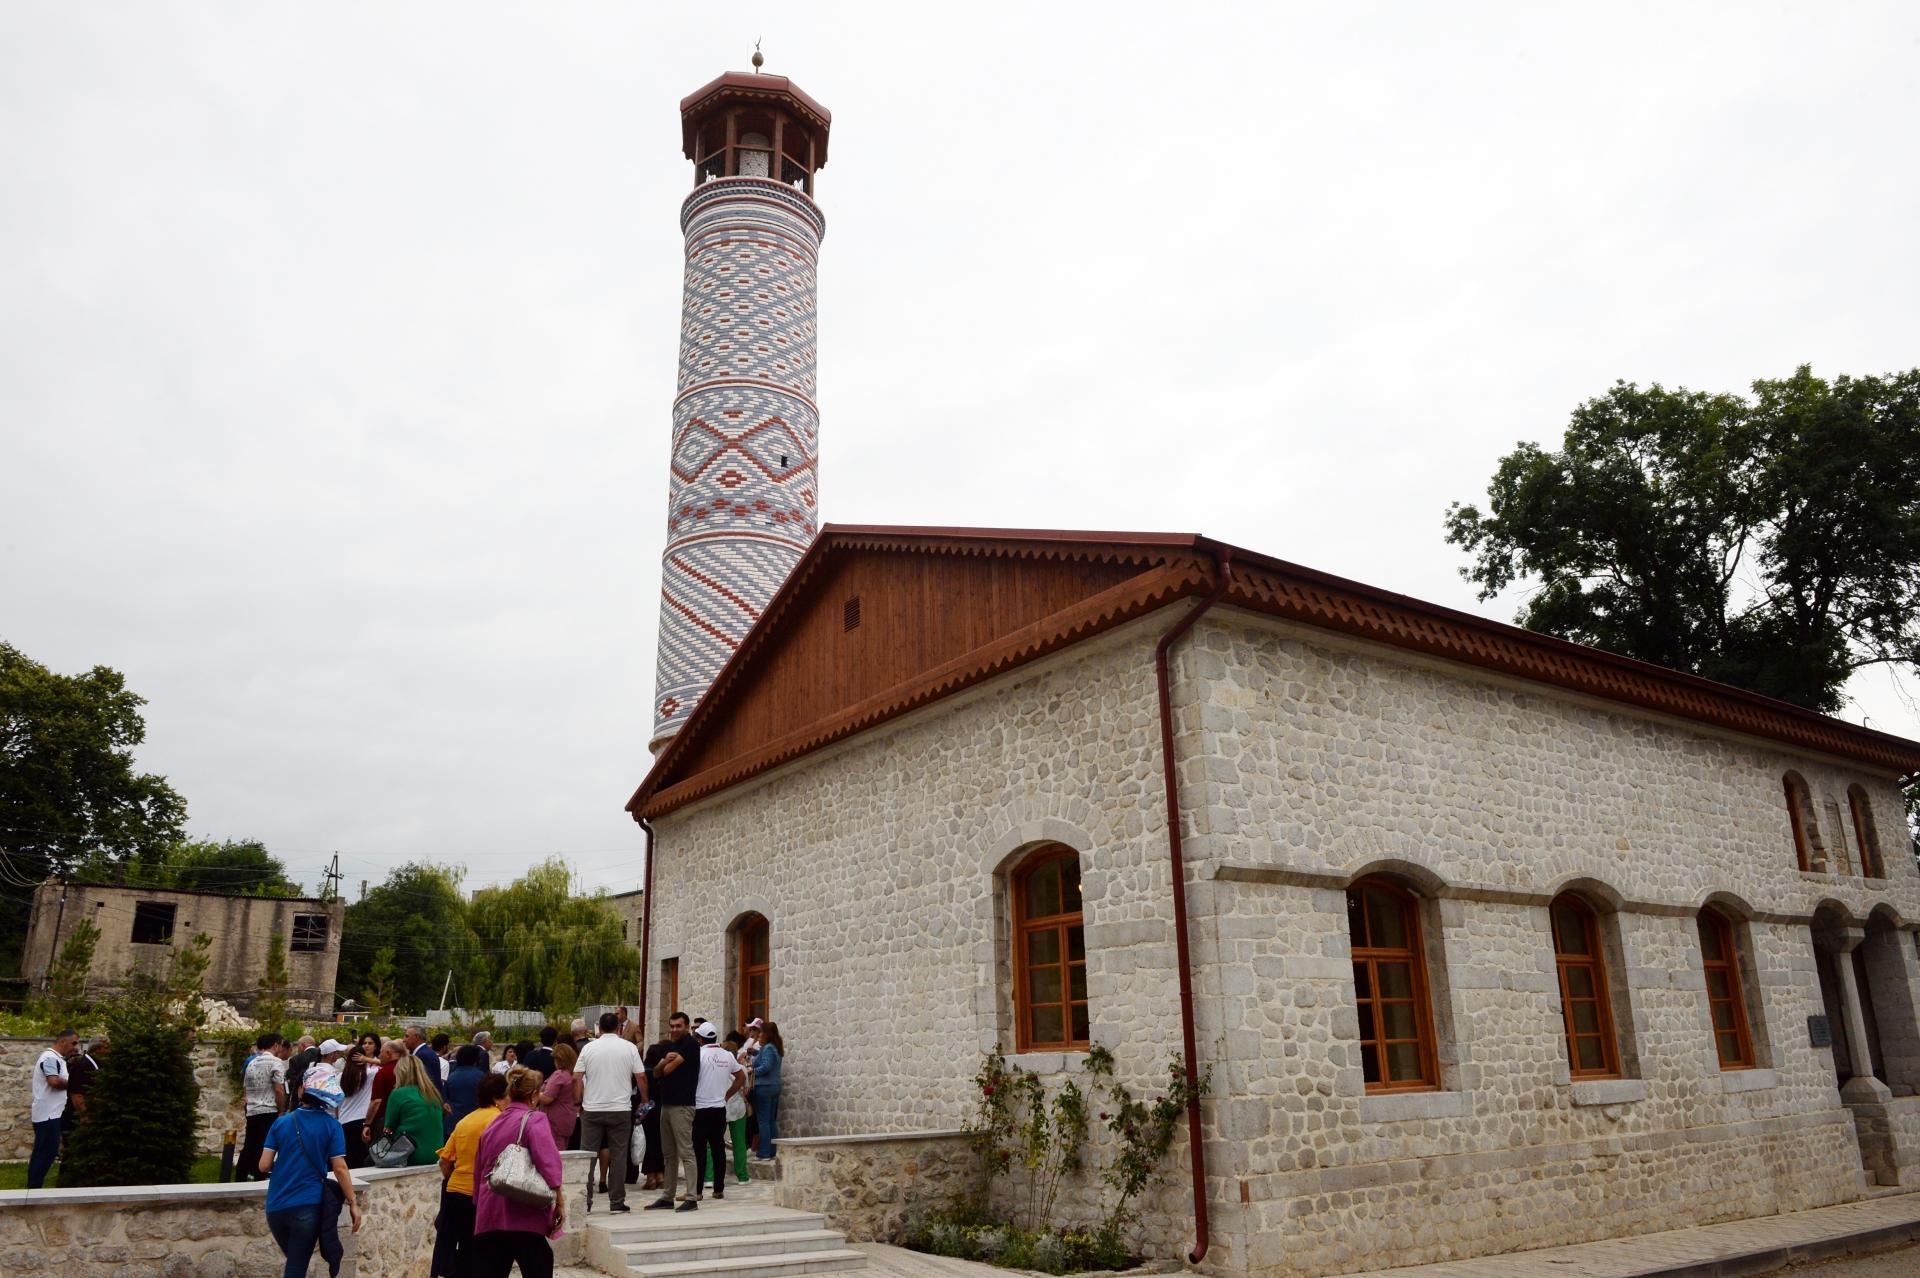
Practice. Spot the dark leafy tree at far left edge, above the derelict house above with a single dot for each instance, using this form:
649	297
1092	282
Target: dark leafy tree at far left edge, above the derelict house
70	792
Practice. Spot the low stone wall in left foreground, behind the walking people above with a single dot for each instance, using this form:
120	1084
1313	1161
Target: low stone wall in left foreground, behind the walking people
220	1231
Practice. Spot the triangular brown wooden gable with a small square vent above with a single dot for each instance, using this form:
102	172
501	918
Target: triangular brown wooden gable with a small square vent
876	625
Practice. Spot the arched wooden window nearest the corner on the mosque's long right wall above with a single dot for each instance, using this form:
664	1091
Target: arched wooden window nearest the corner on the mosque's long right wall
1397	1035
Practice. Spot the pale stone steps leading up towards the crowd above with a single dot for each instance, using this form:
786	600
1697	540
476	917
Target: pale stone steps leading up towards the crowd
721	1241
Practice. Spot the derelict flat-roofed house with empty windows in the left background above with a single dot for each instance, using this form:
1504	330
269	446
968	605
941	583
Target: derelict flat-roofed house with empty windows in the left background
139	928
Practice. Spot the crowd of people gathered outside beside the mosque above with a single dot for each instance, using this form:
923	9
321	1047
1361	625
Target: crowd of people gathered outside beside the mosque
318	1108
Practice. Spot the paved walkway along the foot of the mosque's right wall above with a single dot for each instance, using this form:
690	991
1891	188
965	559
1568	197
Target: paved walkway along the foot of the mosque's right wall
1735	1248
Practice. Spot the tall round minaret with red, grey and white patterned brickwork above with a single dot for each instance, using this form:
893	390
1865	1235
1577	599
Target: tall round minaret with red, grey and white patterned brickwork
744	498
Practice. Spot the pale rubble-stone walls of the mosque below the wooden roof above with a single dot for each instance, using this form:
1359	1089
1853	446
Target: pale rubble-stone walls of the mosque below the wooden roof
1305	763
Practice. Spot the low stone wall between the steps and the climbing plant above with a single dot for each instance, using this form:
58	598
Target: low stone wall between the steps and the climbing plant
871	1185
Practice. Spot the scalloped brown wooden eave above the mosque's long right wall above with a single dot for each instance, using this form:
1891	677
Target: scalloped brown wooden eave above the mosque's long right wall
1556	663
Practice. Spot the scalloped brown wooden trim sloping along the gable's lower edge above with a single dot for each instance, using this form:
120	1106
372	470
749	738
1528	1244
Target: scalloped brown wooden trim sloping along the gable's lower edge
1082	621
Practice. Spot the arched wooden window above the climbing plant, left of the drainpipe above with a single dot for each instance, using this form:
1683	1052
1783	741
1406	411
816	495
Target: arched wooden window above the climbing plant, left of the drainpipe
1049	953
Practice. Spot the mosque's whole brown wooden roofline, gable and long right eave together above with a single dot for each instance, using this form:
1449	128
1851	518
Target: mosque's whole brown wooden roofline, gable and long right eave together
876	623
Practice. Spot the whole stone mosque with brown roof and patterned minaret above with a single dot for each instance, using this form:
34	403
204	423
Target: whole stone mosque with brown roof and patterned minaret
1483	941
